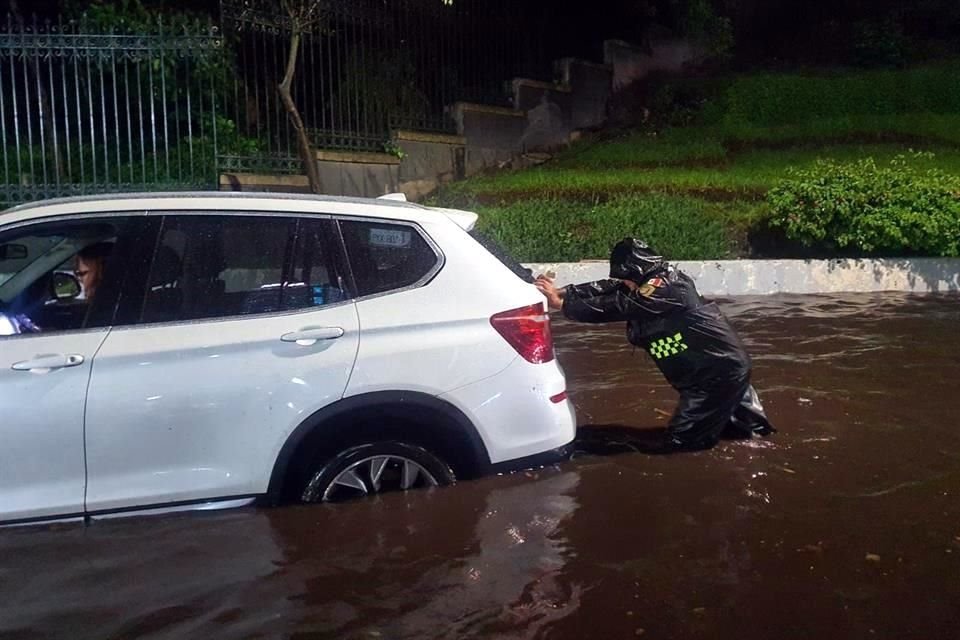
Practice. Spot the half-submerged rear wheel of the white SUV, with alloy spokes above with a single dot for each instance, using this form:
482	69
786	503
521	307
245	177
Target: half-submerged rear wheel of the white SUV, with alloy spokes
374	468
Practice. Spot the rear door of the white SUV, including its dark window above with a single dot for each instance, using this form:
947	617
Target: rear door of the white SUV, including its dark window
246	326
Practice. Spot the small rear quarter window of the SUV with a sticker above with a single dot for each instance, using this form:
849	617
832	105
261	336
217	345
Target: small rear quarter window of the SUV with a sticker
386	256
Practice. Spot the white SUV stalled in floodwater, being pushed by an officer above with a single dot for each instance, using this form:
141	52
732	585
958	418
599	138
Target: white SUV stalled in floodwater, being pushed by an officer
229	347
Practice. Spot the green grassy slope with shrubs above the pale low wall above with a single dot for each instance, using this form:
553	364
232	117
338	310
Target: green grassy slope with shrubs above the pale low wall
720	170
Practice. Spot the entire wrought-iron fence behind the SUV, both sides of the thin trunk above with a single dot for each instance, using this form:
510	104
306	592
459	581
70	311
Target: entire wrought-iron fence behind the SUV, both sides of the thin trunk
88	111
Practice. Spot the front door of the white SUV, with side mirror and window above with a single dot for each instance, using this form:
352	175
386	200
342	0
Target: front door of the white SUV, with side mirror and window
48	339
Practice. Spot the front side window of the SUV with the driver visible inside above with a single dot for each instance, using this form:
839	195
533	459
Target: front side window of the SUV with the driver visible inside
62	276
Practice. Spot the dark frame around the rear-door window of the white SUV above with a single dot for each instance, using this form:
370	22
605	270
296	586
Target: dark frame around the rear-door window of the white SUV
162	214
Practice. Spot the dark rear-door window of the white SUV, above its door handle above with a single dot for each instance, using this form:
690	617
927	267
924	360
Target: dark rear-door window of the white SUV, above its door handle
210	266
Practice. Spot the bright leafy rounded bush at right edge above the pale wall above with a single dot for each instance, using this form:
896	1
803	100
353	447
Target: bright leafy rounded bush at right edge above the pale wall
889	210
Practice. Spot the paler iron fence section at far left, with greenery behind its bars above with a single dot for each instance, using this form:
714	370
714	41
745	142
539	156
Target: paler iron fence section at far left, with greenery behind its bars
84	111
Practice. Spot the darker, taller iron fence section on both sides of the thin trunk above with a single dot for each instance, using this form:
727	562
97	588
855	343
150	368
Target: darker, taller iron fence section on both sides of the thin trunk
370	66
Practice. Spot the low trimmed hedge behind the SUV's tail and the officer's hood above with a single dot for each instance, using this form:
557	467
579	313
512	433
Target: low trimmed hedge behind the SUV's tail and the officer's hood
563	230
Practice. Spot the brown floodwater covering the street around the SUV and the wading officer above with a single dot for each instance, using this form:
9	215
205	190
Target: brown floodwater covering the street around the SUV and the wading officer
845	524
